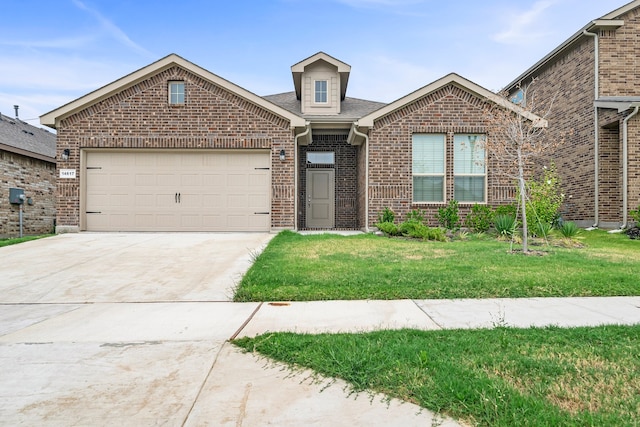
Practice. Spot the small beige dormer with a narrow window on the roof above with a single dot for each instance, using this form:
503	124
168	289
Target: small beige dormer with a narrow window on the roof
321	84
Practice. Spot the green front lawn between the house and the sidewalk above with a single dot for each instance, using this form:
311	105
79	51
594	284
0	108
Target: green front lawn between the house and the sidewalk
330	267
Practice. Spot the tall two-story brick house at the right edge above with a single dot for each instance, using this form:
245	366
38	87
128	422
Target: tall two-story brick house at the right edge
595	79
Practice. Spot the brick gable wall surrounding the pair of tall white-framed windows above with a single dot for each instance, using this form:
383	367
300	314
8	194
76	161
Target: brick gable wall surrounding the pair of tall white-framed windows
449	111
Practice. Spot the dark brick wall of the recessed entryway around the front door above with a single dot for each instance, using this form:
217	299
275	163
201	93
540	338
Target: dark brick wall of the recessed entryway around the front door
346	178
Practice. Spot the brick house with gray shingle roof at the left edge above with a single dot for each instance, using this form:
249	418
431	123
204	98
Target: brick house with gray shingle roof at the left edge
27	162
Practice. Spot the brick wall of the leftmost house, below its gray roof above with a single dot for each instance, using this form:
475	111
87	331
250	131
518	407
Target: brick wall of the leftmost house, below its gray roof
37	179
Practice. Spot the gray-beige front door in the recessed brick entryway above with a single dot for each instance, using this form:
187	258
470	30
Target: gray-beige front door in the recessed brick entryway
320	198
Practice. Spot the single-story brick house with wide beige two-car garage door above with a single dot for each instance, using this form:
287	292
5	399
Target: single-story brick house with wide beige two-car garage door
174	147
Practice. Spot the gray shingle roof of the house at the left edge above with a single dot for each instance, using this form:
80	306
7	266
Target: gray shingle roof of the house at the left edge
26	139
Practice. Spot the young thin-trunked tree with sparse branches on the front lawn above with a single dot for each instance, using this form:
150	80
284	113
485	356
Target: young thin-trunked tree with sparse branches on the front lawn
518	135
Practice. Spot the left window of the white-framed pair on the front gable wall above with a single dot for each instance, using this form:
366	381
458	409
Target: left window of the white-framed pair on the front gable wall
428	165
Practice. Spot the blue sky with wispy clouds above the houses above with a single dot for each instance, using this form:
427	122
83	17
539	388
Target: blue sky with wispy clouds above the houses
54	51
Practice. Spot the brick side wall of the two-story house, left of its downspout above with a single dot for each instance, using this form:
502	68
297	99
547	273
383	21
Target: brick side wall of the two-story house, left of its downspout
569	83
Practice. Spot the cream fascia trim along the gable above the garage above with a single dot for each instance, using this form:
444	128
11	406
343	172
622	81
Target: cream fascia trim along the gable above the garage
52	118
